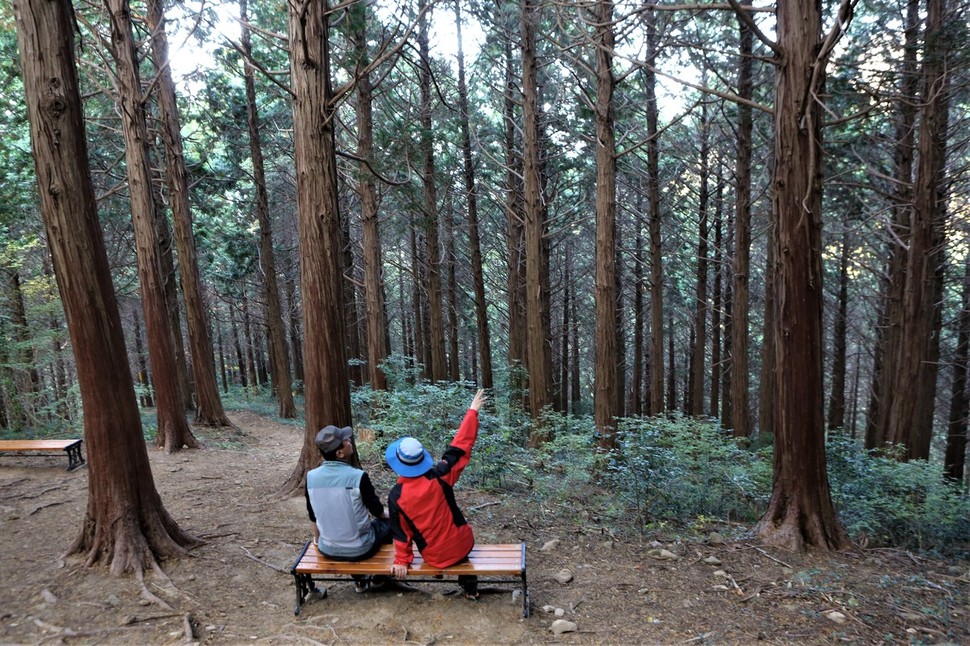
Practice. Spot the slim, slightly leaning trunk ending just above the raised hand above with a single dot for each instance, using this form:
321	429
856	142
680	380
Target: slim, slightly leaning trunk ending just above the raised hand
471	199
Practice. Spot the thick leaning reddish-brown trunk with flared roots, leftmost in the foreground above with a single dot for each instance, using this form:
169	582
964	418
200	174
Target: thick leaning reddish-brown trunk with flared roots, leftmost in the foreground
126	525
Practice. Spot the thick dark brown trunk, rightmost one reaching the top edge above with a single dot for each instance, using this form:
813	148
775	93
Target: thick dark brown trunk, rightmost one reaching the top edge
920	302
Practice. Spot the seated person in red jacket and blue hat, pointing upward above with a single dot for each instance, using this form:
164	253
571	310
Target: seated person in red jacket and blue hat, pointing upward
422	504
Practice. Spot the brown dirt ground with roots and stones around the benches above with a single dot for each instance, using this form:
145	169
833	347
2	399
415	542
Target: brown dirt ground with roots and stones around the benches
237	588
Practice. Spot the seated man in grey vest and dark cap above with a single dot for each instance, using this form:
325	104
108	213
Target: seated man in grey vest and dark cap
341	502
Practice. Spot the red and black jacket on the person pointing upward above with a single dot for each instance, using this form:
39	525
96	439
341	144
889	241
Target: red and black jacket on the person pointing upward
423	510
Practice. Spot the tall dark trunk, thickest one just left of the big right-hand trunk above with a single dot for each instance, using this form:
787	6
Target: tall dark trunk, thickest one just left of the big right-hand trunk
741	420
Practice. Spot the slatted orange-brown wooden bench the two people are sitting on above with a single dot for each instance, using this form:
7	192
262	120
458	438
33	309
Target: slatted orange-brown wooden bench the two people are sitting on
501	563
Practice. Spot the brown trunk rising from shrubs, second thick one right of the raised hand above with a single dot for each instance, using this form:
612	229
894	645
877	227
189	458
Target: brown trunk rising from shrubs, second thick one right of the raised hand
606	354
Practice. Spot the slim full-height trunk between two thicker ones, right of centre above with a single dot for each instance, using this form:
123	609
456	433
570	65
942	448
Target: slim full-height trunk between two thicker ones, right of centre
653	197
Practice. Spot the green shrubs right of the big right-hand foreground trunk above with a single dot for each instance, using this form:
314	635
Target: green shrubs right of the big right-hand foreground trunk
902	504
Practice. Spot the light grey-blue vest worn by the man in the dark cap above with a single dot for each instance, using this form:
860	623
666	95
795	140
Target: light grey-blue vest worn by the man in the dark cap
342	518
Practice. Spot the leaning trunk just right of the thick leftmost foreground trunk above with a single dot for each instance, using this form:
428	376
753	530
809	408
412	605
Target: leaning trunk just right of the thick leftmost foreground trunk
173	428
